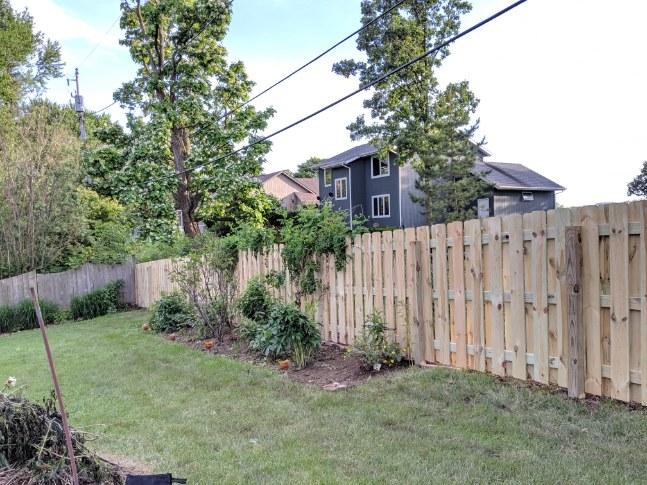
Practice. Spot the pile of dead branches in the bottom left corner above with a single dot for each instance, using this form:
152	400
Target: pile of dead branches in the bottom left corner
33	452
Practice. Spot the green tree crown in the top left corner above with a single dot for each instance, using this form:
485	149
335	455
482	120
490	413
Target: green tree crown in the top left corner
27	58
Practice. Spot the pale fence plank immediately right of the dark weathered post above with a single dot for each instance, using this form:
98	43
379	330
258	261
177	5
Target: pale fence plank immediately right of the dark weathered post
589	219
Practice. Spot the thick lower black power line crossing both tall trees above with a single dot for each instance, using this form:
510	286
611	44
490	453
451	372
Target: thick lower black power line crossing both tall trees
361	88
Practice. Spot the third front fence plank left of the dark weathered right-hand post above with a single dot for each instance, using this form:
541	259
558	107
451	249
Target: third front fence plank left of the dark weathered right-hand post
513	225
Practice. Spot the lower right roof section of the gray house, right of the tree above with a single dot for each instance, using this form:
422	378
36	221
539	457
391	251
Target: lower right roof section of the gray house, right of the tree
514	176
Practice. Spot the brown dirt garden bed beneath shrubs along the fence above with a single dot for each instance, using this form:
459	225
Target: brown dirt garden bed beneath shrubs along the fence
331	369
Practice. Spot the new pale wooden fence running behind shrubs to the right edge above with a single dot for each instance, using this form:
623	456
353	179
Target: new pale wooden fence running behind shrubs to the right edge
495	295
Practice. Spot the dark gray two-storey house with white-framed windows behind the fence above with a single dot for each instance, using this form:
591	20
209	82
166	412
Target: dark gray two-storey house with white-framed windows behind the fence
359	182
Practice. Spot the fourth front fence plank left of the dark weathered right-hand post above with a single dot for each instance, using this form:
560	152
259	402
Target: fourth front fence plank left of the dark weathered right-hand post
495	257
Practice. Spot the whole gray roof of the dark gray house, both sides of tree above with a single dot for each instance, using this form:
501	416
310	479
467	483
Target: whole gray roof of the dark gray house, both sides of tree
504	176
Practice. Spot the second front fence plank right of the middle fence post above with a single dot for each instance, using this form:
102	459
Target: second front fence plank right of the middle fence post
455	231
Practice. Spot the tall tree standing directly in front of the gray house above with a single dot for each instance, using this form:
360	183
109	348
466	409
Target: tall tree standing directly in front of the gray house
412	113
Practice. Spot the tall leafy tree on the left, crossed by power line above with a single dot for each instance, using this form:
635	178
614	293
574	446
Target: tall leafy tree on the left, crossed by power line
189	92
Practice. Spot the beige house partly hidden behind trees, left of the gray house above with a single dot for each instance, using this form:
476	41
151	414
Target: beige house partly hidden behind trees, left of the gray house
290	191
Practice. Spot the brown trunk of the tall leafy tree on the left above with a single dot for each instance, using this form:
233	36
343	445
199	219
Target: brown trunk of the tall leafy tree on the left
184	202
